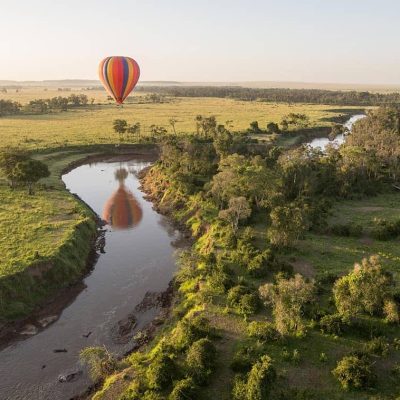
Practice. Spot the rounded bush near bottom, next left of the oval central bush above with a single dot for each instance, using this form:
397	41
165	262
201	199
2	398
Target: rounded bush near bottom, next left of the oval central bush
160	372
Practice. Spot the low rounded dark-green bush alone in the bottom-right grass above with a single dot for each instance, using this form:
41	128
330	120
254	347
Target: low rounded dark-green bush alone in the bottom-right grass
354	372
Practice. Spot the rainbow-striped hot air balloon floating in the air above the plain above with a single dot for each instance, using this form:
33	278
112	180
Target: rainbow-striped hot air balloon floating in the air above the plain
119	75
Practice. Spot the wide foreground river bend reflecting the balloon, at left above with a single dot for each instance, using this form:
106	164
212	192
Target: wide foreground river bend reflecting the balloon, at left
138	257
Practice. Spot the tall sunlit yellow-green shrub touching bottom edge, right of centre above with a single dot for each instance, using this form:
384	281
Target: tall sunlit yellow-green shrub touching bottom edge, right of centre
260	379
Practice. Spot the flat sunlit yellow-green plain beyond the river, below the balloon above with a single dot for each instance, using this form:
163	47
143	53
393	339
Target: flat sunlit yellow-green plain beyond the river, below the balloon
93	124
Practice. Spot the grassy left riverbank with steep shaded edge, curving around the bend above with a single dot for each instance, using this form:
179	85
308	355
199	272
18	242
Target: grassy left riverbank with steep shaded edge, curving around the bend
48	239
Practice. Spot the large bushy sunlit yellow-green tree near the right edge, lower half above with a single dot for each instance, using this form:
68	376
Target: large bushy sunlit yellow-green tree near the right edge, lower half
365	289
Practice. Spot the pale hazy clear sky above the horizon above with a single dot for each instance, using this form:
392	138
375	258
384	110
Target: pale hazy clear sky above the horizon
338	41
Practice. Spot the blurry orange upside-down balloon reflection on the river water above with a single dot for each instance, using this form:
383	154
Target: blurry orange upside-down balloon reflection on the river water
122	211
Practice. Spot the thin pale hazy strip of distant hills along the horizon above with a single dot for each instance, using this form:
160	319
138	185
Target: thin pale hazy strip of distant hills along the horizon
71	83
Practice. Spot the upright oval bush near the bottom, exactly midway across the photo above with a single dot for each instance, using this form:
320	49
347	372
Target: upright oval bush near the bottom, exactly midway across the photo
200	360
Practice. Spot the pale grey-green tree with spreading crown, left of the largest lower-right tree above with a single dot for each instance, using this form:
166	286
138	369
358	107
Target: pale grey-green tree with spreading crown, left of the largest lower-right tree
288	298
